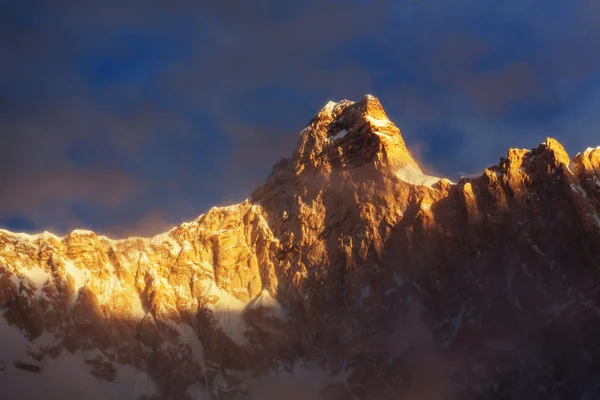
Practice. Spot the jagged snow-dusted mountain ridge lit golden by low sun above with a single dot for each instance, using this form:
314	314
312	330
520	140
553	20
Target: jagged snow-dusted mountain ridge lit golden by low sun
349	269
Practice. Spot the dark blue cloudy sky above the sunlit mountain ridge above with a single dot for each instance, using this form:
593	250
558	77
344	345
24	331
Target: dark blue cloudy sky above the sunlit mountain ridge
130	117
